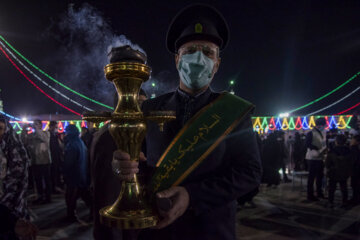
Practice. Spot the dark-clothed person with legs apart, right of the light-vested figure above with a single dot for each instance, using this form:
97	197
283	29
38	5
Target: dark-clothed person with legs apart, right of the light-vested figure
339	165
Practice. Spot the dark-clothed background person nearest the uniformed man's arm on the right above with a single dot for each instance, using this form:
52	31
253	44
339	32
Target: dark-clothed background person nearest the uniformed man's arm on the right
271	160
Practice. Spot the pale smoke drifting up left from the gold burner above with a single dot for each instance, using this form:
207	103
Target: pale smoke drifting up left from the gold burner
86	38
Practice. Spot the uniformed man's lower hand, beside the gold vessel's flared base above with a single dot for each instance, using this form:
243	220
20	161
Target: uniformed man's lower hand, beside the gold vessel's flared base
180	202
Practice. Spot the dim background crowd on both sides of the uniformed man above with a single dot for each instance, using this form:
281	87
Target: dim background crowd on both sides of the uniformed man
50	163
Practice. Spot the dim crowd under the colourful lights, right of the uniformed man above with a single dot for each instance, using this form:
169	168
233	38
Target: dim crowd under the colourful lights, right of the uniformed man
328	157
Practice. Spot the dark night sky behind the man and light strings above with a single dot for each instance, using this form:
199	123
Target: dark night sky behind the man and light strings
282	54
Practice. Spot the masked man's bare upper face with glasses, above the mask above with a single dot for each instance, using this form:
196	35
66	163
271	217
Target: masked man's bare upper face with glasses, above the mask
209	49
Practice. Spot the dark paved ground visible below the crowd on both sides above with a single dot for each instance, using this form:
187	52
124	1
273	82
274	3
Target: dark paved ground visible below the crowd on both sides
281	214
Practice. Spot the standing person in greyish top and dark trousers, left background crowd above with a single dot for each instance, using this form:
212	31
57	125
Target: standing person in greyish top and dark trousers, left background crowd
41	162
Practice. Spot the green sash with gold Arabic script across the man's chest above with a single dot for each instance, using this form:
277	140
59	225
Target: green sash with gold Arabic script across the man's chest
197	139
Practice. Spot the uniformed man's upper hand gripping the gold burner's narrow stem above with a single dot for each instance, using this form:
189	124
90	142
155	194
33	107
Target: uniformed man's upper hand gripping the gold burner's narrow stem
123	167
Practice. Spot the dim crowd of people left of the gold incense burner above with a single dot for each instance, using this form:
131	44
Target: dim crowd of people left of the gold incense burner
44	163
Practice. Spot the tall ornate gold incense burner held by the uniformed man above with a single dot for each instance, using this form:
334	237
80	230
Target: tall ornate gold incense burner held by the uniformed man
128	70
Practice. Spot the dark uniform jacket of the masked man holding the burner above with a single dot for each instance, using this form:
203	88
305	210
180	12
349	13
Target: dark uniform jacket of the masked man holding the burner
232	170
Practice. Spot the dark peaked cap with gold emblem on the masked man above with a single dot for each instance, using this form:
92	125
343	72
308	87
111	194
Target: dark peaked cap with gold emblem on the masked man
197	22
